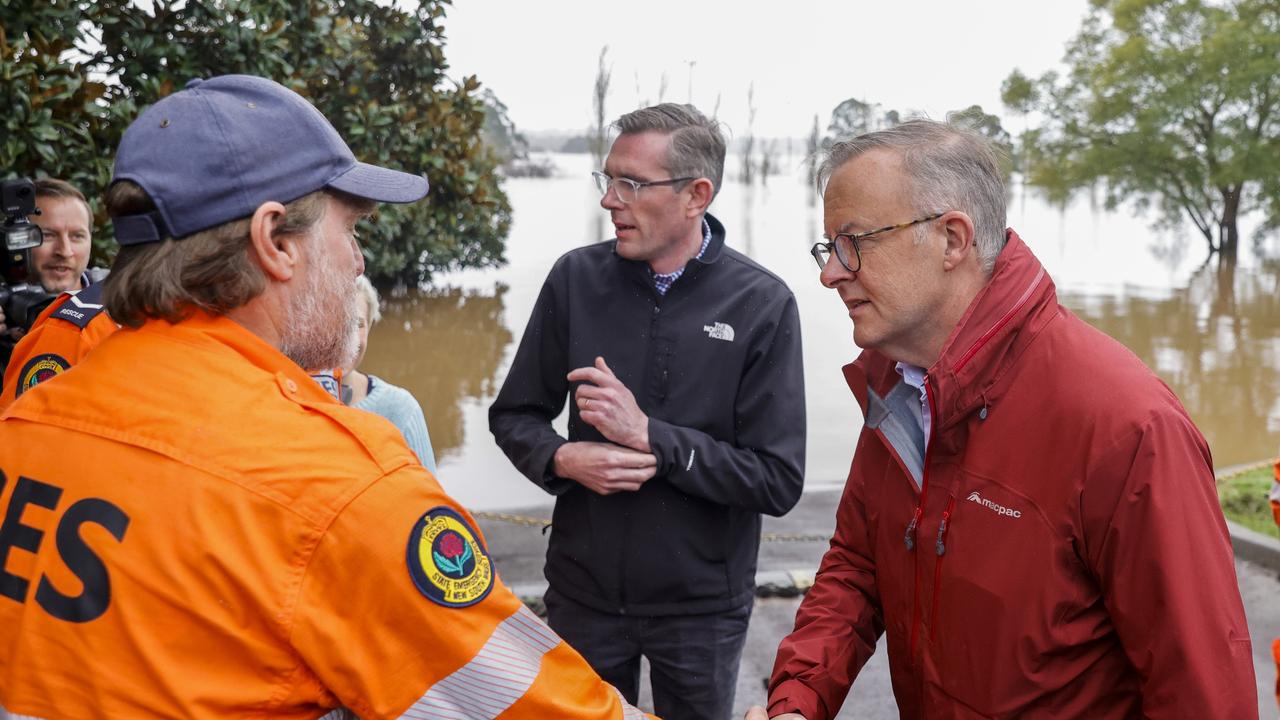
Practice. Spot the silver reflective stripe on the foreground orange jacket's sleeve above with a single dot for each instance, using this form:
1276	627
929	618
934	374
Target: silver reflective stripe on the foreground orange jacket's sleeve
496	678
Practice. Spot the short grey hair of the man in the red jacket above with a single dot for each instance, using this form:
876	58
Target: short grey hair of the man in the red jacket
950	168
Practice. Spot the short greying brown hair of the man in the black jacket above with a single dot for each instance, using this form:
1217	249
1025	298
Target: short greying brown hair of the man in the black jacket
697	143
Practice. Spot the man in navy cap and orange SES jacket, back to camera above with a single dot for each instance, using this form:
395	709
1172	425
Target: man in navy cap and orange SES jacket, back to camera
193	527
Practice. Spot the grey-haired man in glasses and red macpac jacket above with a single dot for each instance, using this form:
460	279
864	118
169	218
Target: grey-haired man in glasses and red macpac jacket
1031	517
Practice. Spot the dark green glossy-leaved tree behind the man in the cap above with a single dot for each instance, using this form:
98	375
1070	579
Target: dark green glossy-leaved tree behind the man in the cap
76	74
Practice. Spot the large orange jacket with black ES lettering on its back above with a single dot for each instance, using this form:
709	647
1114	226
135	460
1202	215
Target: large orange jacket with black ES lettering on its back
194	528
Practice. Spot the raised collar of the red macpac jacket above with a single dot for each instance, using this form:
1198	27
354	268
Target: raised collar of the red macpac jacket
1000	322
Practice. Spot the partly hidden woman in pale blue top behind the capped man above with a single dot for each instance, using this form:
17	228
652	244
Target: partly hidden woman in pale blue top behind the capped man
376	395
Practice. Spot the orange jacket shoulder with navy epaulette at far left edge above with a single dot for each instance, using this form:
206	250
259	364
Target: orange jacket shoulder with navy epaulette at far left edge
61	338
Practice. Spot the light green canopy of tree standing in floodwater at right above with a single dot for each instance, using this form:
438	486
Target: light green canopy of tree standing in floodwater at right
1171	103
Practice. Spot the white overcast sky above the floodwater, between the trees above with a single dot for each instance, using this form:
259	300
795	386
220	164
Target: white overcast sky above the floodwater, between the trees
804	57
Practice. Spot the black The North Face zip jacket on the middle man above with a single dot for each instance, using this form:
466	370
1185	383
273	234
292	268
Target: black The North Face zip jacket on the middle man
717	367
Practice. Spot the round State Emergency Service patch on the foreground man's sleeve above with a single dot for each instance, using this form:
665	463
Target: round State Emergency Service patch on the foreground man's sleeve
447	560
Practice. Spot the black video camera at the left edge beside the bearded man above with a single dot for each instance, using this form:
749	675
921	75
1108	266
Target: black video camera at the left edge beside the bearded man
21	299
